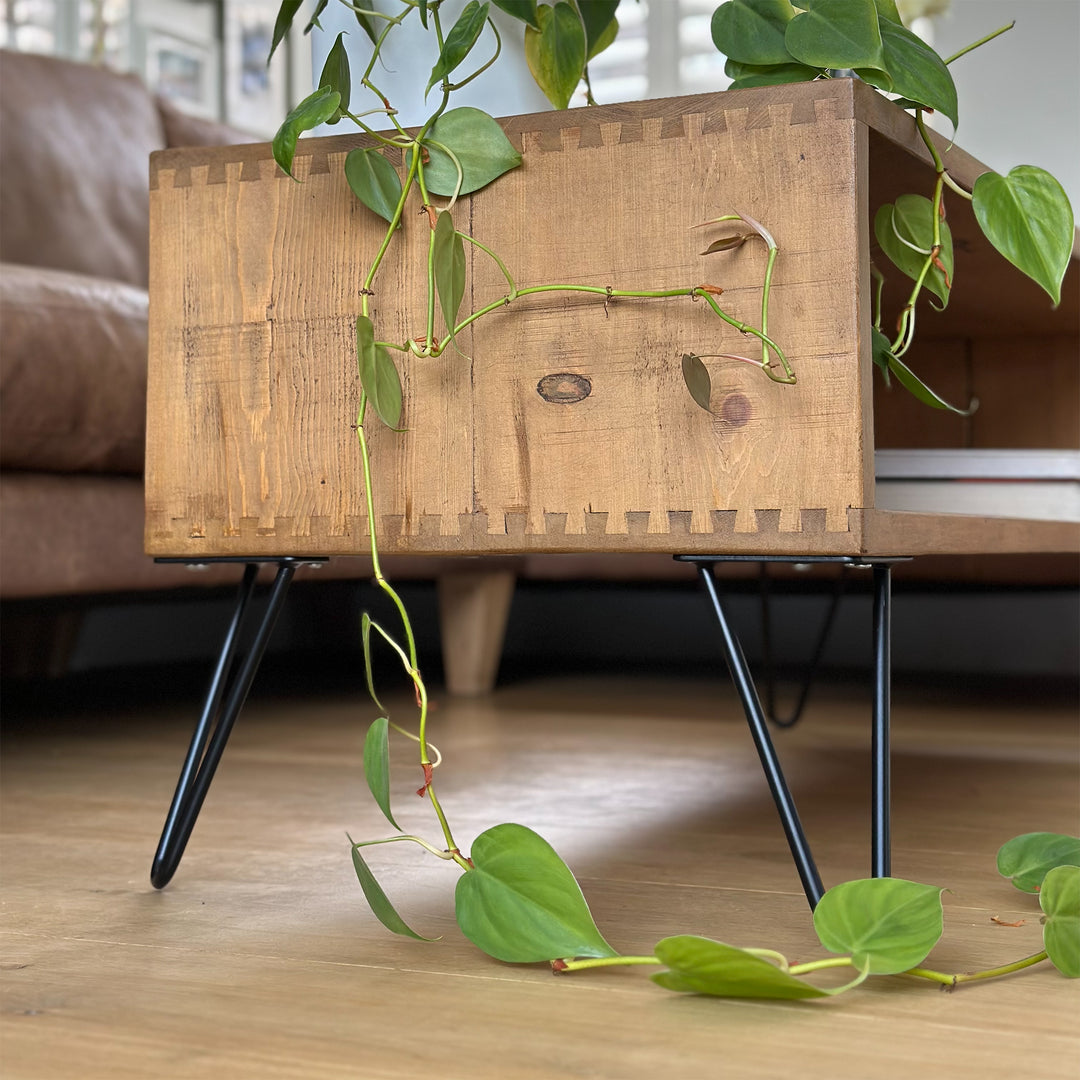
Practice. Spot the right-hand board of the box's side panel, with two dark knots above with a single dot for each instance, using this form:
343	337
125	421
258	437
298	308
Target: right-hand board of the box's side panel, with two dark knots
649	452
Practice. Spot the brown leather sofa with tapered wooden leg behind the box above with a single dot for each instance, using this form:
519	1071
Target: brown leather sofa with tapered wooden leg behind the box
75	143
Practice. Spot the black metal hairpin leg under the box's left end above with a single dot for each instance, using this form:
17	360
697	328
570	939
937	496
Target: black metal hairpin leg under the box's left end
228	691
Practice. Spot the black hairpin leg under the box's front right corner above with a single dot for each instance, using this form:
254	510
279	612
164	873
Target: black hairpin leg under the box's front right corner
755	717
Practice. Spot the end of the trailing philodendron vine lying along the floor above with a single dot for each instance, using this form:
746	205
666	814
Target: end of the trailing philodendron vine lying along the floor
519	902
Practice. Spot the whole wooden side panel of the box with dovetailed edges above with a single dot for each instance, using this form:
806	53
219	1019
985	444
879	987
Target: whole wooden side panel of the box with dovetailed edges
255	287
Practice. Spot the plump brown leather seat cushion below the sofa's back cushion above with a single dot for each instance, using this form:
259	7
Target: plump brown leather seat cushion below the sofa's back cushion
73	372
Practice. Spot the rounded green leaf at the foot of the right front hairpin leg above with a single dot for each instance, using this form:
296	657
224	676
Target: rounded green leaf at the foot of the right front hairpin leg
887	925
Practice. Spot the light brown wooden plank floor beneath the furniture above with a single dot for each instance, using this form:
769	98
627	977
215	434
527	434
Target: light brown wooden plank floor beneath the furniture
262	961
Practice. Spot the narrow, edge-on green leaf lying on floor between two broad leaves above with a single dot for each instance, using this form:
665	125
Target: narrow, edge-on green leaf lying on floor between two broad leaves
701	966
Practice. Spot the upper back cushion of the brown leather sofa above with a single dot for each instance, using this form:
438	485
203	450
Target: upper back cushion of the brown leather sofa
75	143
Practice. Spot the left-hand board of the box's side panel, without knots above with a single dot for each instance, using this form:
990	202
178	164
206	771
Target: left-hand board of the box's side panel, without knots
254	395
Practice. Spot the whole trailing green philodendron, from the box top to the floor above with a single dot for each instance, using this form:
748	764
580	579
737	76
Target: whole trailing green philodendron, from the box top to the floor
517	899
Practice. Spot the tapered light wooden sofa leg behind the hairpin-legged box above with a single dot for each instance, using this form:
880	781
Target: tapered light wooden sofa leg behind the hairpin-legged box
474	609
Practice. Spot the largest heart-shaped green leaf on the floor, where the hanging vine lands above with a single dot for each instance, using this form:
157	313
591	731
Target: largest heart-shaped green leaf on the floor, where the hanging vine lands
522	904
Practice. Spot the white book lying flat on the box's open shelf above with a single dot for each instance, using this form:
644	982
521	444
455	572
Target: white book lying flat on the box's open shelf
1043	485
